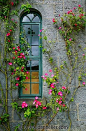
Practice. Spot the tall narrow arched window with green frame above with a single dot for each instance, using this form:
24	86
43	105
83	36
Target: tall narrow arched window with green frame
31	24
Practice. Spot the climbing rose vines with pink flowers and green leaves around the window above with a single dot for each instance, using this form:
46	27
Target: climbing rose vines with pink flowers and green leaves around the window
13	67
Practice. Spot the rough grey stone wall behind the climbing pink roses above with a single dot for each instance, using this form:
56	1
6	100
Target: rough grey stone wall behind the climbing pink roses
50	9
